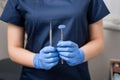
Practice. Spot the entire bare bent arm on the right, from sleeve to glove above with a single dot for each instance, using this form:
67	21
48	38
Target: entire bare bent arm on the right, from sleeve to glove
96	43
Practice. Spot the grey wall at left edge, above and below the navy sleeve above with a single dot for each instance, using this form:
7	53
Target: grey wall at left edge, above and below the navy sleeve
3	34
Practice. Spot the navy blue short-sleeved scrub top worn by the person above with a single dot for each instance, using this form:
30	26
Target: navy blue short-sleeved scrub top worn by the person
35	16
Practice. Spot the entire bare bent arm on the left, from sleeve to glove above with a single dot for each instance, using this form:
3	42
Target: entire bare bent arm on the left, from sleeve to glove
15	46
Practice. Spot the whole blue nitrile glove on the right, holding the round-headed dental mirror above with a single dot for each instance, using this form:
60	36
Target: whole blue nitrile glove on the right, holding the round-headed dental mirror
70	52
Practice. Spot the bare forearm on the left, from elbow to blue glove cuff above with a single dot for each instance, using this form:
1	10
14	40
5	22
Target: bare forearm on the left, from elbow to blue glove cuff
21	56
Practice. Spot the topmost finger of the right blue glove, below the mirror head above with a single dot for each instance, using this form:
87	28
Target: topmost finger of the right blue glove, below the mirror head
67	44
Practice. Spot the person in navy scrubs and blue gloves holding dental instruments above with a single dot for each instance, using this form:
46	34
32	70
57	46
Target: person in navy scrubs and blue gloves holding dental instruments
83	37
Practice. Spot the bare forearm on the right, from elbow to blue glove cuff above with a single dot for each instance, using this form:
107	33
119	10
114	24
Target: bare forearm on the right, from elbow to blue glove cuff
93	48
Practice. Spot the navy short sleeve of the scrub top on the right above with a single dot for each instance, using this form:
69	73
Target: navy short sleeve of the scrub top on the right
97	10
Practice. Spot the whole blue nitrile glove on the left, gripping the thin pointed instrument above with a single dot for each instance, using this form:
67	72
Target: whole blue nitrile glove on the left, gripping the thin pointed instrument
46	58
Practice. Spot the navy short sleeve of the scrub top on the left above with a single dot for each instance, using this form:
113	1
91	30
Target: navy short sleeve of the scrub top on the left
11	14
